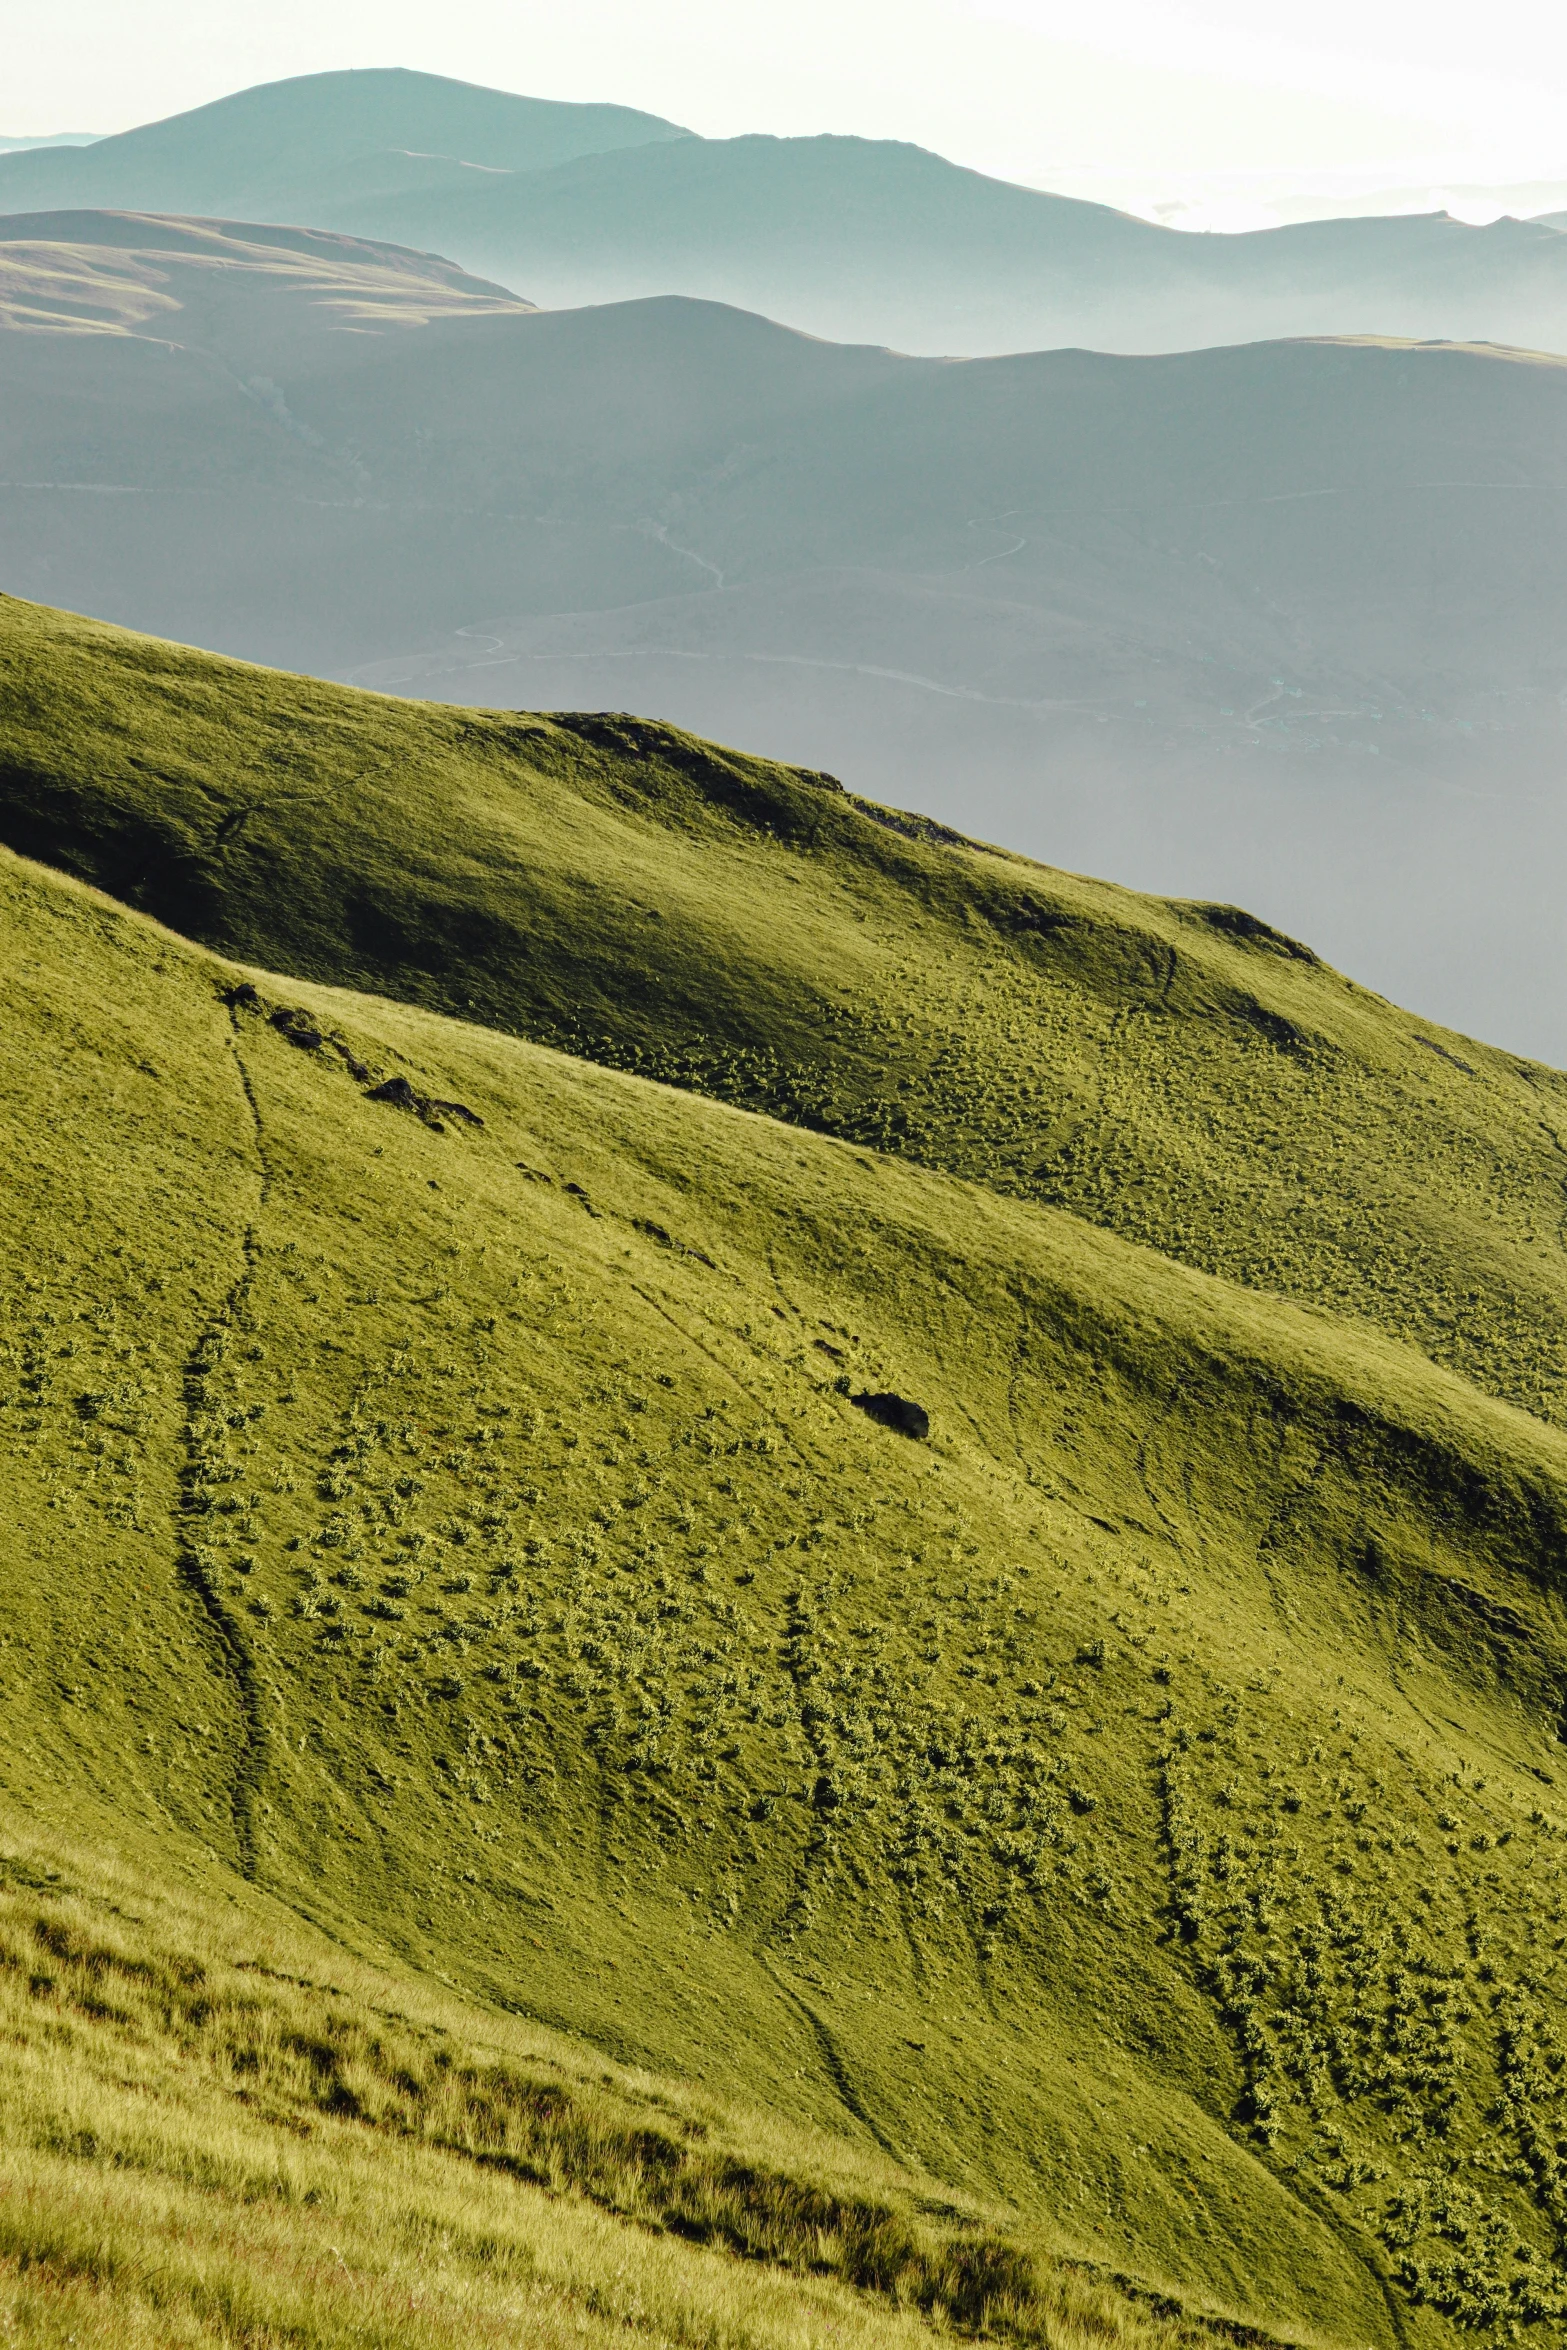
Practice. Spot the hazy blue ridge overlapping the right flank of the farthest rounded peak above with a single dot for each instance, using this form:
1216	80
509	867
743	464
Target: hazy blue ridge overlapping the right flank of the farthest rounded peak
873	241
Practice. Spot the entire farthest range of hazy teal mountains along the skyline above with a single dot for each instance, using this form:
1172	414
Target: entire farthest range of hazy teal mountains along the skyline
861	241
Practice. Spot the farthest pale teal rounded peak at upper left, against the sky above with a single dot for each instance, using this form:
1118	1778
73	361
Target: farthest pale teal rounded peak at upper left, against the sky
285	149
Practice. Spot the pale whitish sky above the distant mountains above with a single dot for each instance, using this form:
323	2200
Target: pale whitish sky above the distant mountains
1122	95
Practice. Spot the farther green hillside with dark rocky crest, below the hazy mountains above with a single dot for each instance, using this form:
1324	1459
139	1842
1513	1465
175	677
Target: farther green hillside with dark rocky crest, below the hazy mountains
1171	1073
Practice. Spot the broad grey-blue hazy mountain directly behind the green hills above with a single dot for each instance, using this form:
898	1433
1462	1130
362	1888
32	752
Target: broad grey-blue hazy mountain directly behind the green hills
1282	624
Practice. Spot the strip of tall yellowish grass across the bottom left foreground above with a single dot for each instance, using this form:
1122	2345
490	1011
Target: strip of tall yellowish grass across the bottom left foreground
210	2151
